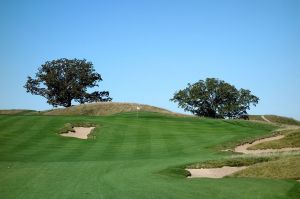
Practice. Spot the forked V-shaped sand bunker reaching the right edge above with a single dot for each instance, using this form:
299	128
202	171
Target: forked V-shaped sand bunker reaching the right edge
244	148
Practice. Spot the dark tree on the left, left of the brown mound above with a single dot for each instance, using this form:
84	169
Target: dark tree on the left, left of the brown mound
63	80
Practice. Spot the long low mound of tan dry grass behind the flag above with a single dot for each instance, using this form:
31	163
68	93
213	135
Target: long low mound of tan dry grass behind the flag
107	108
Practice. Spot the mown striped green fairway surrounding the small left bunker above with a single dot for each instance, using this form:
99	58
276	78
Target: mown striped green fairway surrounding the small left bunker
130	158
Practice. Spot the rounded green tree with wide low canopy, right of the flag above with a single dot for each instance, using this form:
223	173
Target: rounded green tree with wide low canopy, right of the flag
215	98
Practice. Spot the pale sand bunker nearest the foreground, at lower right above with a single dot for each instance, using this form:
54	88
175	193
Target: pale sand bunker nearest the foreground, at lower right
215	172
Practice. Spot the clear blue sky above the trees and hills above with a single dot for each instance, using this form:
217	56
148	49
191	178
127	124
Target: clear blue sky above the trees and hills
146	50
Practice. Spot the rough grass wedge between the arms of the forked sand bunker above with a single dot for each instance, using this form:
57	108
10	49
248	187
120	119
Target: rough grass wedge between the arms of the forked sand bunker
291	139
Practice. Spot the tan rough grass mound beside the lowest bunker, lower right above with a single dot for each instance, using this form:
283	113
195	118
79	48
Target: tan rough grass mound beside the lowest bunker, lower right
283	168
